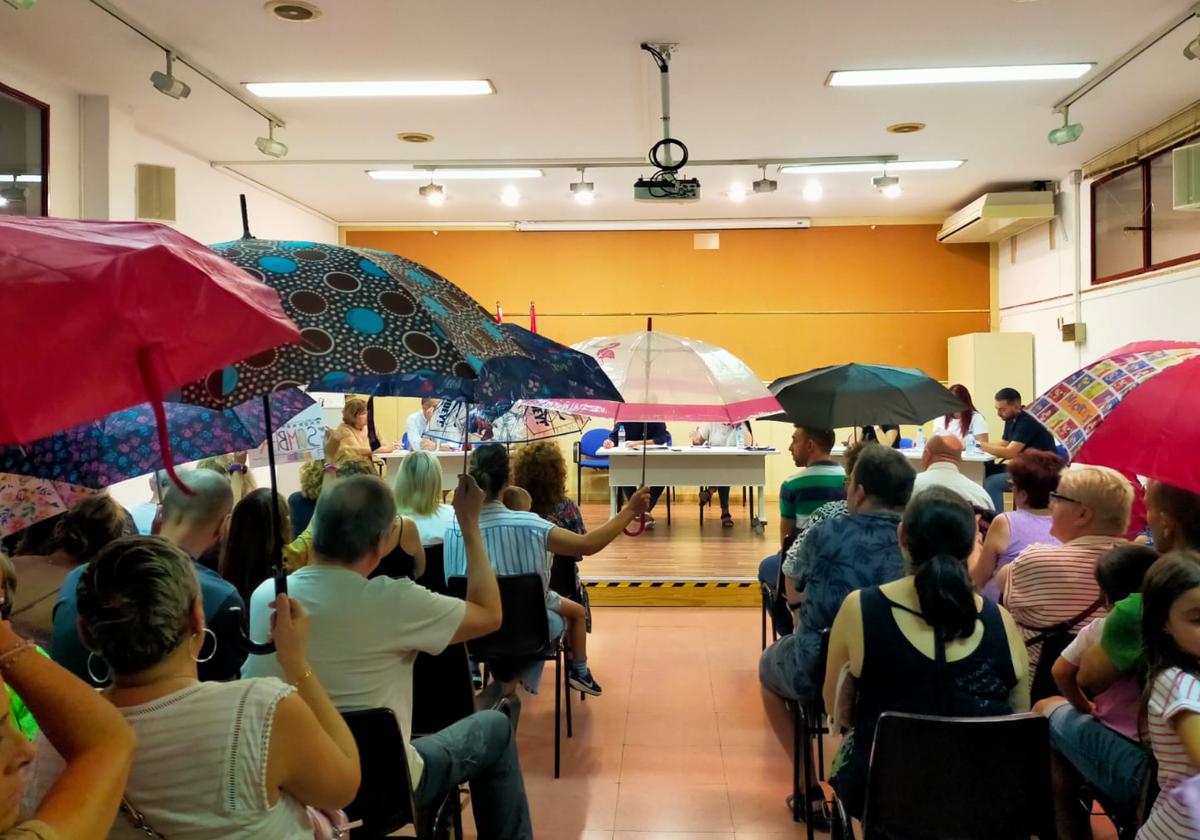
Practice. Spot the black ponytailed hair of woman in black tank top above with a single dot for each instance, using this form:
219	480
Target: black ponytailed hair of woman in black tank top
940	535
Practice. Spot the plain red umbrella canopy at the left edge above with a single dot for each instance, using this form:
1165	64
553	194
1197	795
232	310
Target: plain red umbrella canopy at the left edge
110	315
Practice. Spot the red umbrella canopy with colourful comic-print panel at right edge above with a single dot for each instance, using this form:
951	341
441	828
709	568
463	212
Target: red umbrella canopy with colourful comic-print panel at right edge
1132	411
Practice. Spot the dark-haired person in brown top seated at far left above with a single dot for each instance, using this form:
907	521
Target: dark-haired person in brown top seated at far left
89	526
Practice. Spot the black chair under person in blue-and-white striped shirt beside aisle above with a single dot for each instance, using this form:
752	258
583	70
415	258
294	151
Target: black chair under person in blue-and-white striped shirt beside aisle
524	635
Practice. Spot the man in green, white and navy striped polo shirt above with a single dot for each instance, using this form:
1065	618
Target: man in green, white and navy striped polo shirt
821	481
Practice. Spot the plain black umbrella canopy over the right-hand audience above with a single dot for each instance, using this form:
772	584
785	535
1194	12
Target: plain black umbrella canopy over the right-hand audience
861	395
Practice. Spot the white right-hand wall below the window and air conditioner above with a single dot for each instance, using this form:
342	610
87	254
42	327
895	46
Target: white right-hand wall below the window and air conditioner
1037	285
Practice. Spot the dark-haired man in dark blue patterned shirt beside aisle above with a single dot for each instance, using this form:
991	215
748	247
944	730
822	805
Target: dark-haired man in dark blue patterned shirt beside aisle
842	555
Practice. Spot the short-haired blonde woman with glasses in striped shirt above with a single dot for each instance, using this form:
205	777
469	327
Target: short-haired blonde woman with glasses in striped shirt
1054	587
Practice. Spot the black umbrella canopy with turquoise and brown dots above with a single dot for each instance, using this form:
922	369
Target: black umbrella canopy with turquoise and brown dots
370	323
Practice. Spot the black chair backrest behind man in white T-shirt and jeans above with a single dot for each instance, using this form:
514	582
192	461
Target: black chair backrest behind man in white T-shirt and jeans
385	802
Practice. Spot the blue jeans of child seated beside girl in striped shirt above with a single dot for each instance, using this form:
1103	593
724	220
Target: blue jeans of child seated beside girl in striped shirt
1109	761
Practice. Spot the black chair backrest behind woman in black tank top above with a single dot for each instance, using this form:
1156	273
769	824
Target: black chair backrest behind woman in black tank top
962	778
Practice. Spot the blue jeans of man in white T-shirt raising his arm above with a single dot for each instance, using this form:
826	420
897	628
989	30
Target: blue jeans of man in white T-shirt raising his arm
481	751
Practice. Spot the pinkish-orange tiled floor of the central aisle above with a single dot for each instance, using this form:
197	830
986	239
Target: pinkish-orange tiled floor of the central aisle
679	748
